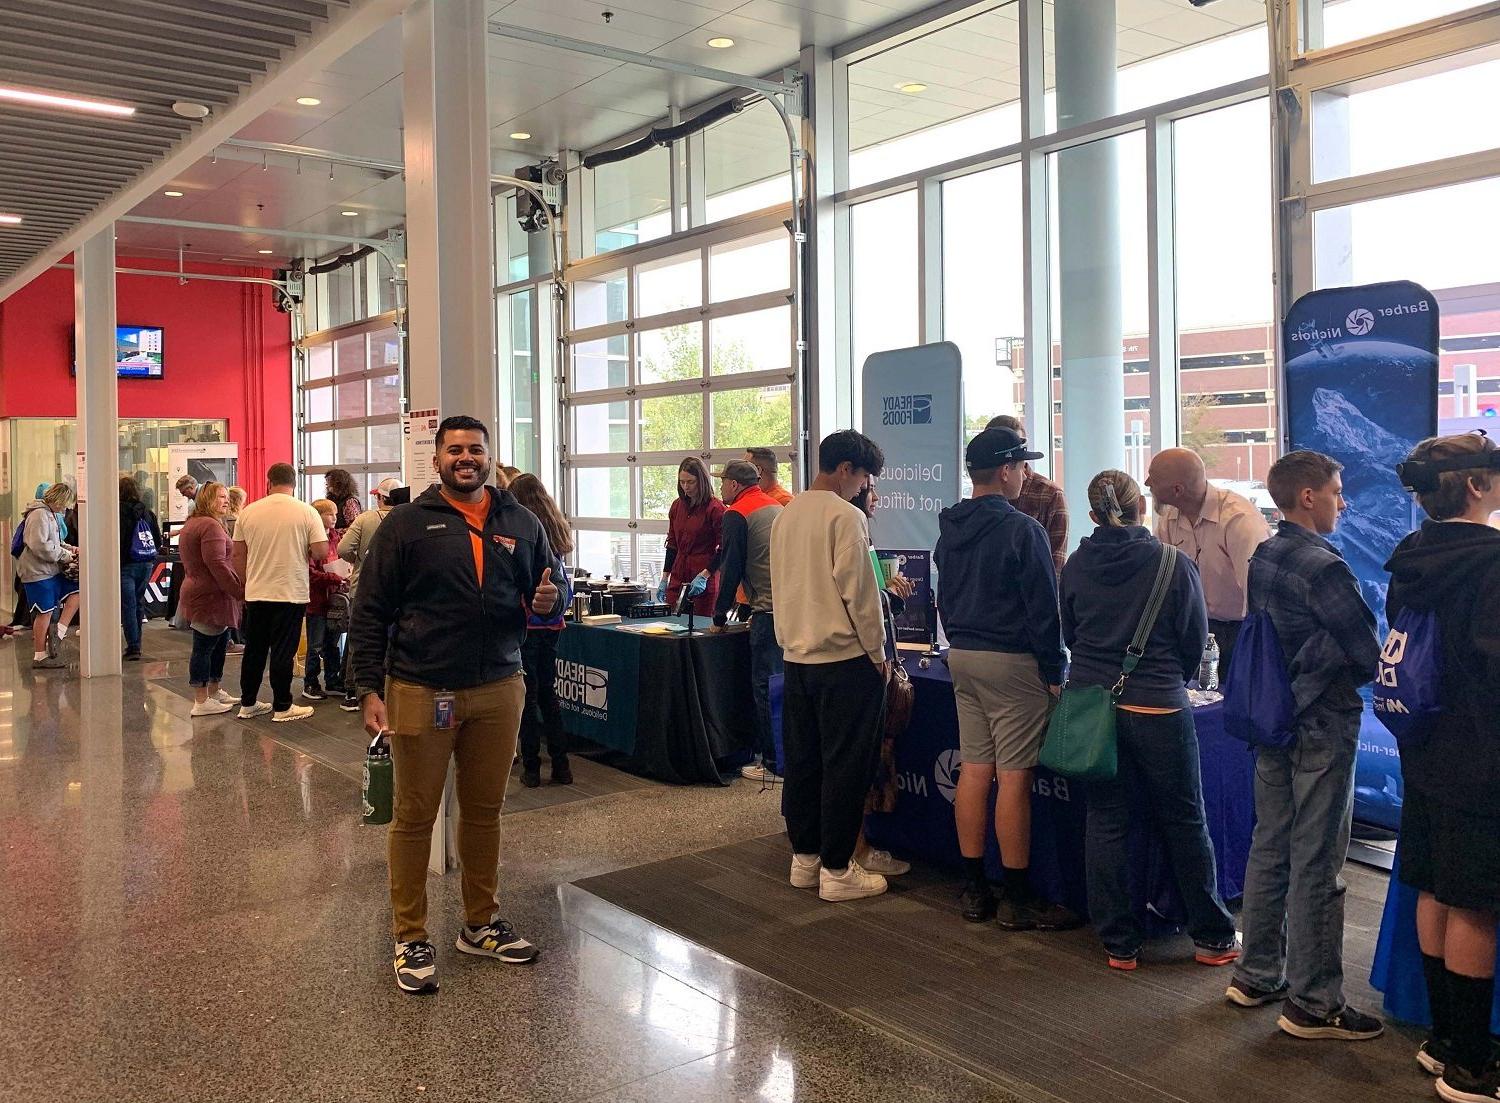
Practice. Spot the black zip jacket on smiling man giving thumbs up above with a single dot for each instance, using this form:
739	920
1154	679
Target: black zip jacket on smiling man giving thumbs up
421	613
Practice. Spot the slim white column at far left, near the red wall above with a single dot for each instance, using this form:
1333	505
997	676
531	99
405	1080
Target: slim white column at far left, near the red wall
98	437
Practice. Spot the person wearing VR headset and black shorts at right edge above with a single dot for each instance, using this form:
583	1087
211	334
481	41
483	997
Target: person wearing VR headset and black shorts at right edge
1438	691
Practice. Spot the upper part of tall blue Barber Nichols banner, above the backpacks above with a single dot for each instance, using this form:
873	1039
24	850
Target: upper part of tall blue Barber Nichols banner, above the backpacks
1361	365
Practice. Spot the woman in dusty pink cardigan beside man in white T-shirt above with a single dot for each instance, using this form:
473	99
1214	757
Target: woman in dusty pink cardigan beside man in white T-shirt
211	598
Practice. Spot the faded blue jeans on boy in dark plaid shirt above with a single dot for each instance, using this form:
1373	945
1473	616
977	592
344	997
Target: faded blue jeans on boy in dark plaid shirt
1294	910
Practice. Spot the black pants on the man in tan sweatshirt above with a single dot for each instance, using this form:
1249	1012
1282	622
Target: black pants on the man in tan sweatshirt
832	718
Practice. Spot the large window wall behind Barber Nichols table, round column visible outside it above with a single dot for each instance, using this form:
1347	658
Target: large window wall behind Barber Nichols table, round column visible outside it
1112	209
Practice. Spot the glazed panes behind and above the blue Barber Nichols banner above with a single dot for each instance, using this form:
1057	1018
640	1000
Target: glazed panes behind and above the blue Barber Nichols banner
1390	178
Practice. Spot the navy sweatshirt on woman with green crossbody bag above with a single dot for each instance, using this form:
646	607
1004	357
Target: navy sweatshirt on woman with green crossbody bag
1105	591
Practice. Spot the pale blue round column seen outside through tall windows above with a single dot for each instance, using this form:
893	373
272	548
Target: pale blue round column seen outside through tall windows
1090	253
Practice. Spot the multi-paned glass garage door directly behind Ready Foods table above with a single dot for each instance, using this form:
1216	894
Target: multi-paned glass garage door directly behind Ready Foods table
686	349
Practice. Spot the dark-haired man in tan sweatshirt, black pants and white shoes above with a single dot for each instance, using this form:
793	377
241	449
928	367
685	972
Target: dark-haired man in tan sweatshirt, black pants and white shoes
833	639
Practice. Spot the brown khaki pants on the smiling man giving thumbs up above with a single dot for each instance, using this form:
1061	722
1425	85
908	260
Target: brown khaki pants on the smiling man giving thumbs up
484	745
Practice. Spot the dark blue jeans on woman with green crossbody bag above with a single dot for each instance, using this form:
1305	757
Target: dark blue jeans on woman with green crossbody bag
1159	760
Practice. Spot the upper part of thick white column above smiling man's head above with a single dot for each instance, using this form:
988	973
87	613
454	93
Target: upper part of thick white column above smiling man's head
449	251
